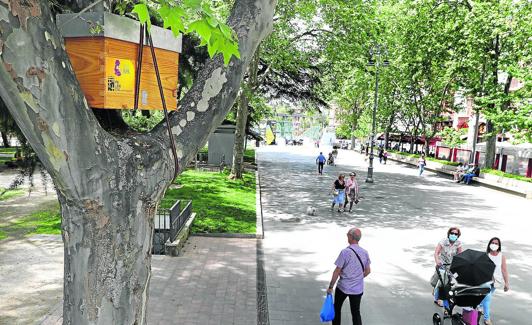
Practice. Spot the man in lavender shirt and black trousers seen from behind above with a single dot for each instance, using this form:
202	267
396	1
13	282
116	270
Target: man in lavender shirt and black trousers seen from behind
352	266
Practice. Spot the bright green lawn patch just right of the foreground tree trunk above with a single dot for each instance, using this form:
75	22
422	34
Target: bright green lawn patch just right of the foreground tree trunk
222	205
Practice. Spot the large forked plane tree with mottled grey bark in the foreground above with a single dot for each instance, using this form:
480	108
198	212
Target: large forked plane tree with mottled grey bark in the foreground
108	185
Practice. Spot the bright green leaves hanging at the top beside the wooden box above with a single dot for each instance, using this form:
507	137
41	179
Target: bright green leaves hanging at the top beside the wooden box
193	16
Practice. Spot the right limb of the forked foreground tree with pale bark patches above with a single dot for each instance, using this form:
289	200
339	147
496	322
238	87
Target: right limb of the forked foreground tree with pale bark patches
213	93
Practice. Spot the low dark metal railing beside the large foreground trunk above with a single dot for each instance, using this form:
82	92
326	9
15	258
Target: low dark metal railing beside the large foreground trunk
167	224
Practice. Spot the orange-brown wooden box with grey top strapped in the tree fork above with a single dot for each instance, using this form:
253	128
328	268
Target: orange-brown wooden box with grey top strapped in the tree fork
103	49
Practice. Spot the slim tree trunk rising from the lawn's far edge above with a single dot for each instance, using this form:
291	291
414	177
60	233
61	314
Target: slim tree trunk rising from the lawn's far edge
240	137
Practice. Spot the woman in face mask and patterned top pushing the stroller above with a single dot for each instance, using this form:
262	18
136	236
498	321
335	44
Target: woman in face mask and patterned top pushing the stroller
446	249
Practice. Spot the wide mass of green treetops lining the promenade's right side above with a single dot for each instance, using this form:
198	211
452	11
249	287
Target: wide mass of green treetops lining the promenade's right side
435	49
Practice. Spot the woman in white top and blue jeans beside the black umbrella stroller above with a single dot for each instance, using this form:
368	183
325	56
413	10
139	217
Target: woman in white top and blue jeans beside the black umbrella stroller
500	275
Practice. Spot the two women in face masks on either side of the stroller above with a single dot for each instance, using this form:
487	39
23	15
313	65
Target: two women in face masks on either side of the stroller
450	246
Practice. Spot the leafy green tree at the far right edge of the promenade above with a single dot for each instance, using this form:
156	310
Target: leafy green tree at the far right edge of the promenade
494	50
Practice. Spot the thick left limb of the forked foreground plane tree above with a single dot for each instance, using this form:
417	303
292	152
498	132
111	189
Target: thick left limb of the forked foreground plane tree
43	95
